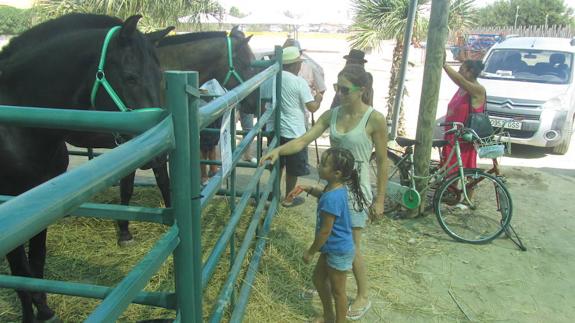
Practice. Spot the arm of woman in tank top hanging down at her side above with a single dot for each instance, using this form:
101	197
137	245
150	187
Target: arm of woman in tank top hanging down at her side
379	139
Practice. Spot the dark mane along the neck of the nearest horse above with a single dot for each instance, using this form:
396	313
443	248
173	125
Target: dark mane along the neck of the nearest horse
62	25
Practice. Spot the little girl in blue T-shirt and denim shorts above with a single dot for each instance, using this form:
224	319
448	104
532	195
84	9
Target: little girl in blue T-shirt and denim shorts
333	237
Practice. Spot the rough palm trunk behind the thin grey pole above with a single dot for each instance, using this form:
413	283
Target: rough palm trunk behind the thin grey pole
392	92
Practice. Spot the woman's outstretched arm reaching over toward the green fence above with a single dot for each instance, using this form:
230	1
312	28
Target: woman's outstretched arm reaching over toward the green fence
296	145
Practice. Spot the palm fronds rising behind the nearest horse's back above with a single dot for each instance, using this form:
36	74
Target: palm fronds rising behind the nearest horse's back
157	13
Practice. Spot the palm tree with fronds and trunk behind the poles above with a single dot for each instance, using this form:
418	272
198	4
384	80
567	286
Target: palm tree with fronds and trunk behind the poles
377	20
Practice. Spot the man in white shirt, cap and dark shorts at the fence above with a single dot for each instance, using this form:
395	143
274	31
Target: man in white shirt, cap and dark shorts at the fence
295	100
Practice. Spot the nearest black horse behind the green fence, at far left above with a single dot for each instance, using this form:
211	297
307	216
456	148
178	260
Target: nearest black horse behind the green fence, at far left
59	71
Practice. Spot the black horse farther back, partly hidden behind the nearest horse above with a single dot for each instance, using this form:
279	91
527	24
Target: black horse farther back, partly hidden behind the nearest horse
205	52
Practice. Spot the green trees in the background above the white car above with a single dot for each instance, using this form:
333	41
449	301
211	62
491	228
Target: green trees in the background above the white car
531	12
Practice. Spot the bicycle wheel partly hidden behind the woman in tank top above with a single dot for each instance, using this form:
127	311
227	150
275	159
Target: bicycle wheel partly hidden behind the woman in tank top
394	173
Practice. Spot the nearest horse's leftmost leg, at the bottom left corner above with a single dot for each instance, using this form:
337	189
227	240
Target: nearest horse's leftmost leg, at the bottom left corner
19	266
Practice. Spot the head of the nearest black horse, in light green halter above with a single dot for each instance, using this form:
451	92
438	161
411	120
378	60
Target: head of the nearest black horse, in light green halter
132	69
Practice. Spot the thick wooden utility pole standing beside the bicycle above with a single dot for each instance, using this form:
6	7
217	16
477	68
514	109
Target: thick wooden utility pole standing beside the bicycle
436	39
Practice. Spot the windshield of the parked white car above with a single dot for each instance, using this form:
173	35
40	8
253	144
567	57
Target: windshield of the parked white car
541	66
